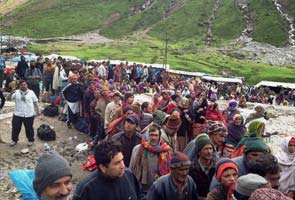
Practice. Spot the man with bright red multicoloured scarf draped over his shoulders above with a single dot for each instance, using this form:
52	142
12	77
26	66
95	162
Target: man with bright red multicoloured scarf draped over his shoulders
151	158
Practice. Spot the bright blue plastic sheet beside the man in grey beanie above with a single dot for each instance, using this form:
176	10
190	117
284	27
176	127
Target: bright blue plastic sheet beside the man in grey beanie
23	181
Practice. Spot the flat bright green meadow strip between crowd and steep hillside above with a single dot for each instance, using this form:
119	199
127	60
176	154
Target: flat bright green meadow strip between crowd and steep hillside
209	62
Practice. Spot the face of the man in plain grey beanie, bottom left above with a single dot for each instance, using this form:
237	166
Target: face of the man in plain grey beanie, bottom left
58	190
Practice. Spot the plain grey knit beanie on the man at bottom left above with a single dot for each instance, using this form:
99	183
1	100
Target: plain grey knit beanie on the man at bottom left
50	167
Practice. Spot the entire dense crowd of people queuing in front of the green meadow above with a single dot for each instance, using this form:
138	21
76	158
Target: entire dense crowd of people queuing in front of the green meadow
179	145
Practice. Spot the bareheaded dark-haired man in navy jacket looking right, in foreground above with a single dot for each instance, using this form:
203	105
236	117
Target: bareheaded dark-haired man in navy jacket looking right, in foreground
111	180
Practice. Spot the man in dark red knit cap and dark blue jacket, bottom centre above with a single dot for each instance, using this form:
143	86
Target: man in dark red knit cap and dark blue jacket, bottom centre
176	185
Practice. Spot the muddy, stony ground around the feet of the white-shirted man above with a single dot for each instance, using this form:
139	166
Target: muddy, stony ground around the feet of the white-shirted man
11	158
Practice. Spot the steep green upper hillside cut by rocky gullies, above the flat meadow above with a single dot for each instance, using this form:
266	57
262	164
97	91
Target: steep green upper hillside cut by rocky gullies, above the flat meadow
181	20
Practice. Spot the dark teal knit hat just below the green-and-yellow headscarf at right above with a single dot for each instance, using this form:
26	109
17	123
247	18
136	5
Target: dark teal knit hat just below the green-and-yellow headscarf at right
255	144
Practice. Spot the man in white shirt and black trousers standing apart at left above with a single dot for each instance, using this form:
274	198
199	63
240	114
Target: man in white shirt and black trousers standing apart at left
26	107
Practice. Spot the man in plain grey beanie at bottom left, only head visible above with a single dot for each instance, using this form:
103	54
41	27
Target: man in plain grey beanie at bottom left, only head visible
52	177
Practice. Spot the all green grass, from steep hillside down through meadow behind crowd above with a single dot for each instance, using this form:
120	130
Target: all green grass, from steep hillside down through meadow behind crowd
141	33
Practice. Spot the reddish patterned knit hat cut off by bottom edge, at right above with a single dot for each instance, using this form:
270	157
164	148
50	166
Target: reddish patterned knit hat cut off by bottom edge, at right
268	194
